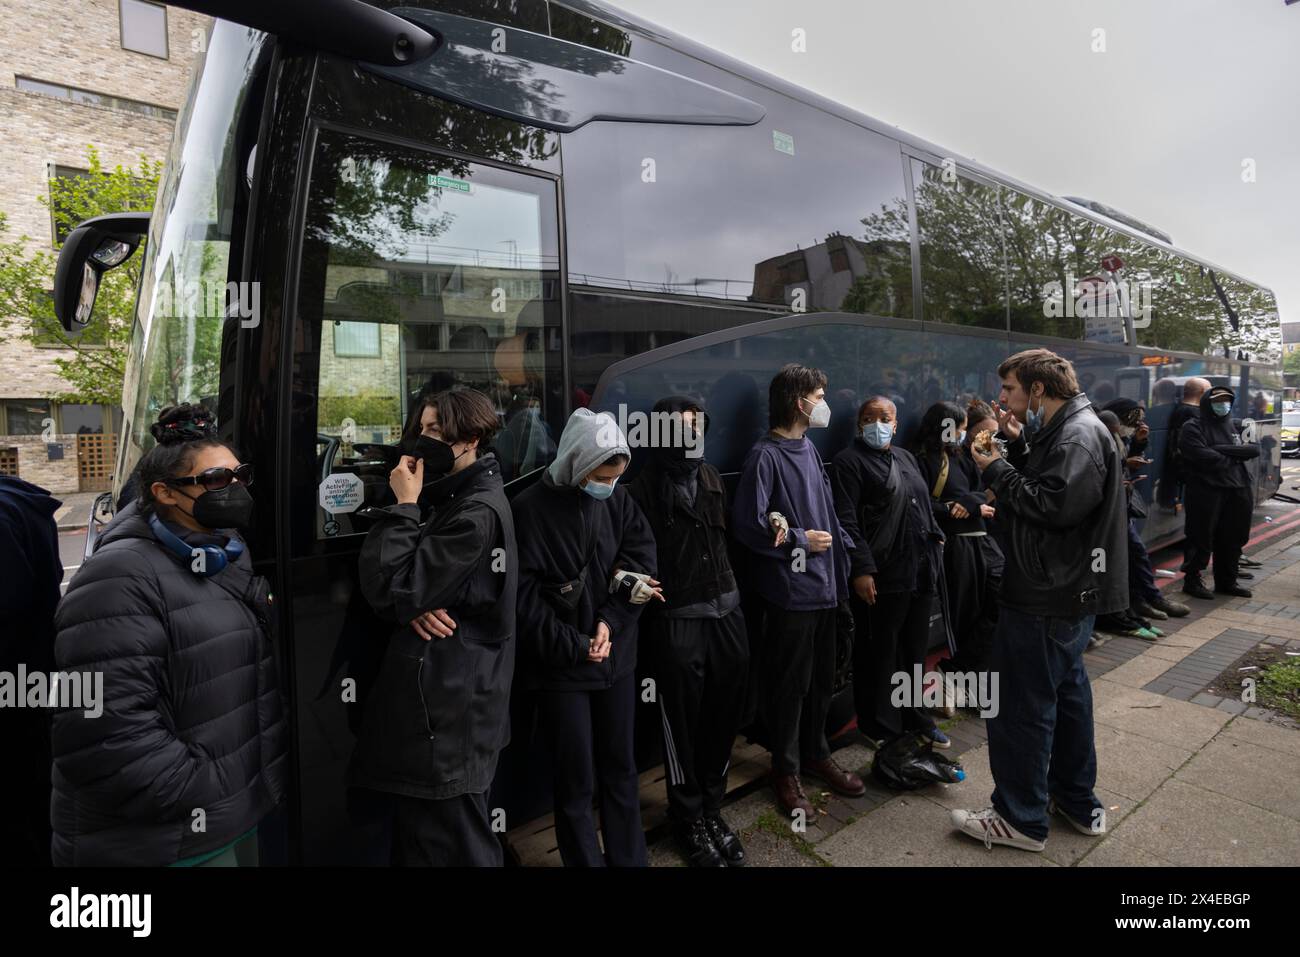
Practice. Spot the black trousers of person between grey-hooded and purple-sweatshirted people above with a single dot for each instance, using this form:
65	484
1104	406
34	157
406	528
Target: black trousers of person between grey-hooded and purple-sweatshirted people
701	668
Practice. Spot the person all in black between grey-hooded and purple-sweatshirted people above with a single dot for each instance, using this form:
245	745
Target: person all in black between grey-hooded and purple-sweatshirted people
694	643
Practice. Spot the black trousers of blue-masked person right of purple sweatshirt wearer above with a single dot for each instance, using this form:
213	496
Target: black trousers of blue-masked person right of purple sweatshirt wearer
892	636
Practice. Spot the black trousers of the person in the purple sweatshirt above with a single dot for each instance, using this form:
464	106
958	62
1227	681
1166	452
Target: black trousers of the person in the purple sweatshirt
799	679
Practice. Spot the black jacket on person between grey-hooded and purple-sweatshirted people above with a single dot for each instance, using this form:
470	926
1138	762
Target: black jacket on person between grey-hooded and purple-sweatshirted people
692	539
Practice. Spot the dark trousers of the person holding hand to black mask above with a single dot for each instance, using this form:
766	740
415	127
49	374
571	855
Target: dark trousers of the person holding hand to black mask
448	833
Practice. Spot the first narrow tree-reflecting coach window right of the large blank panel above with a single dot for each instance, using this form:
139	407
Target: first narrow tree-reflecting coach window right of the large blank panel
961	249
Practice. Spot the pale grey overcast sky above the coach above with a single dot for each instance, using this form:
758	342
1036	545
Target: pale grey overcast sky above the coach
1159	125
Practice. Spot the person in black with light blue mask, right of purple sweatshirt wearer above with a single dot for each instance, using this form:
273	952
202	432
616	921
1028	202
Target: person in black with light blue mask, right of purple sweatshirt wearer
883	503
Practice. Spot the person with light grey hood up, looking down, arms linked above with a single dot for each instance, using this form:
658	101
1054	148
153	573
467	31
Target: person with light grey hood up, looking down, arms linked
587	565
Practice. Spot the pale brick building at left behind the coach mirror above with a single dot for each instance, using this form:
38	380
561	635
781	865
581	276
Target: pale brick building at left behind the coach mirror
110	73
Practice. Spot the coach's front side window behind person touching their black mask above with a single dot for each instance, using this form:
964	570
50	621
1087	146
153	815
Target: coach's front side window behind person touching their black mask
421	274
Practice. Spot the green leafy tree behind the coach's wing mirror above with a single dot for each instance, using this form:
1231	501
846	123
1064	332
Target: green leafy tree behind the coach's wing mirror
98	363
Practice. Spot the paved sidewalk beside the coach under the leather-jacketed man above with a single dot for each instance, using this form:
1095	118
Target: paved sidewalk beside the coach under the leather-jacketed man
1188	778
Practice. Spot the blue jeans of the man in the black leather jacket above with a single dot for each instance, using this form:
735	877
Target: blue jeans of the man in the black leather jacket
1041	743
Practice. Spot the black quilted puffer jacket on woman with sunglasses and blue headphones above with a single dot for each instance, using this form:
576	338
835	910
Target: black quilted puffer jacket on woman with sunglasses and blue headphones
193	714
